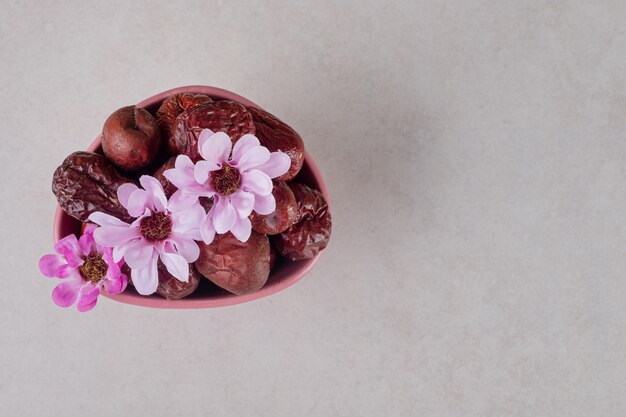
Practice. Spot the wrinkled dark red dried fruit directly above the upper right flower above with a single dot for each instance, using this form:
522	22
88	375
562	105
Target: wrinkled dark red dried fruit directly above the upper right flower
219	116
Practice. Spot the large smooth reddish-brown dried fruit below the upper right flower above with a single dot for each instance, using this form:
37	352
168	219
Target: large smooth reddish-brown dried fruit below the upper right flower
238	267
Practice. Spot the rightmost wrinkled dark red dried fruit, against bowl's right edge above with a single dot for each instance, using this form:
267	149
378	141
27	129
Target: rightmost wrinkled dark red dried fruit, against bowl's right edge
311	231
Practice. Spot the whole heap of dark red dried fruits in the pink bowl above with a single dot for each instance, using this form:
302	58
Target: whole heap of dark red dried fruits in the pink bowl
136	142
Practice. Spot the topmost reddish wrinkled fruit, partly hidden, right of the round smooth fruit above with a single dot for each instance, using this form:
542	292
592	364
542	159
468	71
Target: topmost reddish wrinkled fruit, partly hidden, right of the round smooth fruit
169	111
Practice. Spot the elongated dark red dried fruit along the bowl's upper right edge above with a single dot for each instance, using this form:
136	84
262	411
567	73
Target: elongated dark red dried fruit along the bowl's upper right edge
276	135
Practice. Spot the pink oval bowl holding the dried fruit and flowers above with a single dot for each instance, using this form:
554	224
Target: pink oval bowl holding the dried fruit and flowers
283	275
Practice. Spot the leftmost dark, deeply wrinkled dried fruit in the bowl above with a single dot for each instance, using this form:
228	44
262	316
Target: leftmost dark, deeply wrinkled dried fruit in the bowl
86	182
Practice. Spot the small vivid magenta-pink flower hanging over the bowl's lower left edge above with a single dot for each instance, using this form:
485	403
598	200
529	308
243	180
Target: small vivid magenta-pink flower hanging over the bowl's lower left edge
85	267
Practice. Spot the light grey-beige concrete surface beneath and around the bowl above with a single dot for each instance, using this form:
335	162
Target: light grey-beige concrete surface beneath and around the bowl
475	155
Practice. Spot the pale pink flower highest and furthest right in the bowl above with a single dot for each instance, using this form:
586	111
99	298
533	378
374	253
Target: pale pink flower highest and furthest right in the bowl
238	183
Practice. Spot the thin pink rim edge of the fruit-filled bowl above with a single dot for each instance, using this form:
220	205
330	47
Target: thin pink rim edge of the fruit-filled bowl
156	301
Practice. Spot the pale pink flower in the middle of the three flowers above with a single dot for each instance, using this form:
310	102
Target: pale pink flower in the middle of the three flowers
163	230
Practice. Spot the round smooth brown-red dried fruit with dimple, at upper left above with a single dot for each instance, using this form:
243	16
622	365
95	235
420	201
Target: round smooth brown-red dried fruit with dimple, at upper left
131	138
